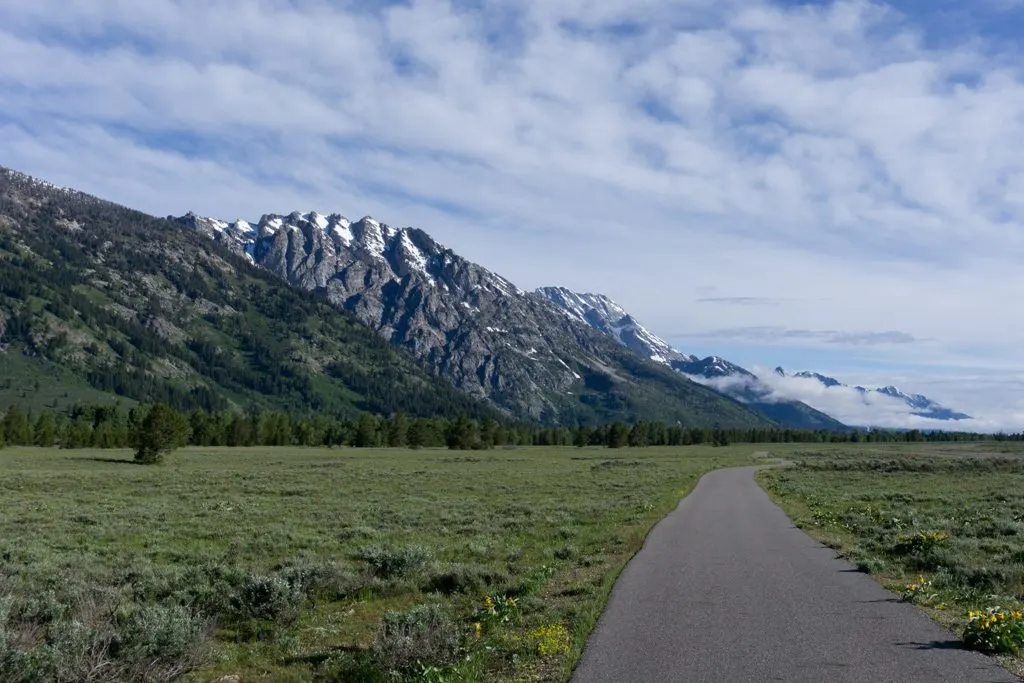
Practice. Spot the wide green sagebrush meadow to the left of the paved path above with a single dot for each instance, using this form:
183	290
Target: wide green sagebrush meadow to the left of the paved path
301	565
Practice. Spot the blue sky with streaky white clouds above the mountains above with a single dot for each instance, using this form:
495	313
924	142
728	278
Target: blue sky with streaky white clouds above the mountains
829	186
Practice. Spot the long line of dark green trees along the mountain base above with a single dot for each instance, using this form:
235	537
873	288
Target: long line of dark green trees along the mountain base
116	428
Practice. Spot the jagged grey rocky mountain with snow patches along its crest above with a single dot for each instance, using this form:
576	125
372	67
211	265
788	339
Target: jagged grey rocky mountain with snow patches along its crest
517	351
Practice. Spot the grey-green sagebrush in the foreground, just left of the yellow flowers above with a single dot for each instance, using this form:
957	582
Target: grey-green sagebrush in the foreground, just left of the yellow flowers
423	635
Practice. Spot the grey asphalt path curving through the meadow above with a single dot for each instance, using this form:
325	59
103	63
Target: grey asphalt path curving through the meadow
728	589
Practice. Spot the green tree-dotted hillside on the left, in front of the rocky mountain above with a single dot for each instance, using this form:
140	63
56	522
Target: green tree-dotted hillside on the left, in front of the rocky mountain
99	302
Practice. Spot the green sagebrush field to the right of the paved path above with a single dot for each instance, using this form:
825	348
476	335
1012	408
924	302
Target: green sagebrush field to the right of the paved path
942	525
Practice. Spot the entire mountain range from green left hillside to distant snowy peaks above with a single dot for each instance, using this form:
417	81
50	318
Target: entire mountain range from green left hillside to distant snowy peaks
169	309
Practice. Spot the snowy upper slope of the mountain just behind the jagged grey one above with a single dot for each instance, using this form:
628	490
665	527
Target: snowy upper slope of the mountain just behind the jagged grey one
606	316
